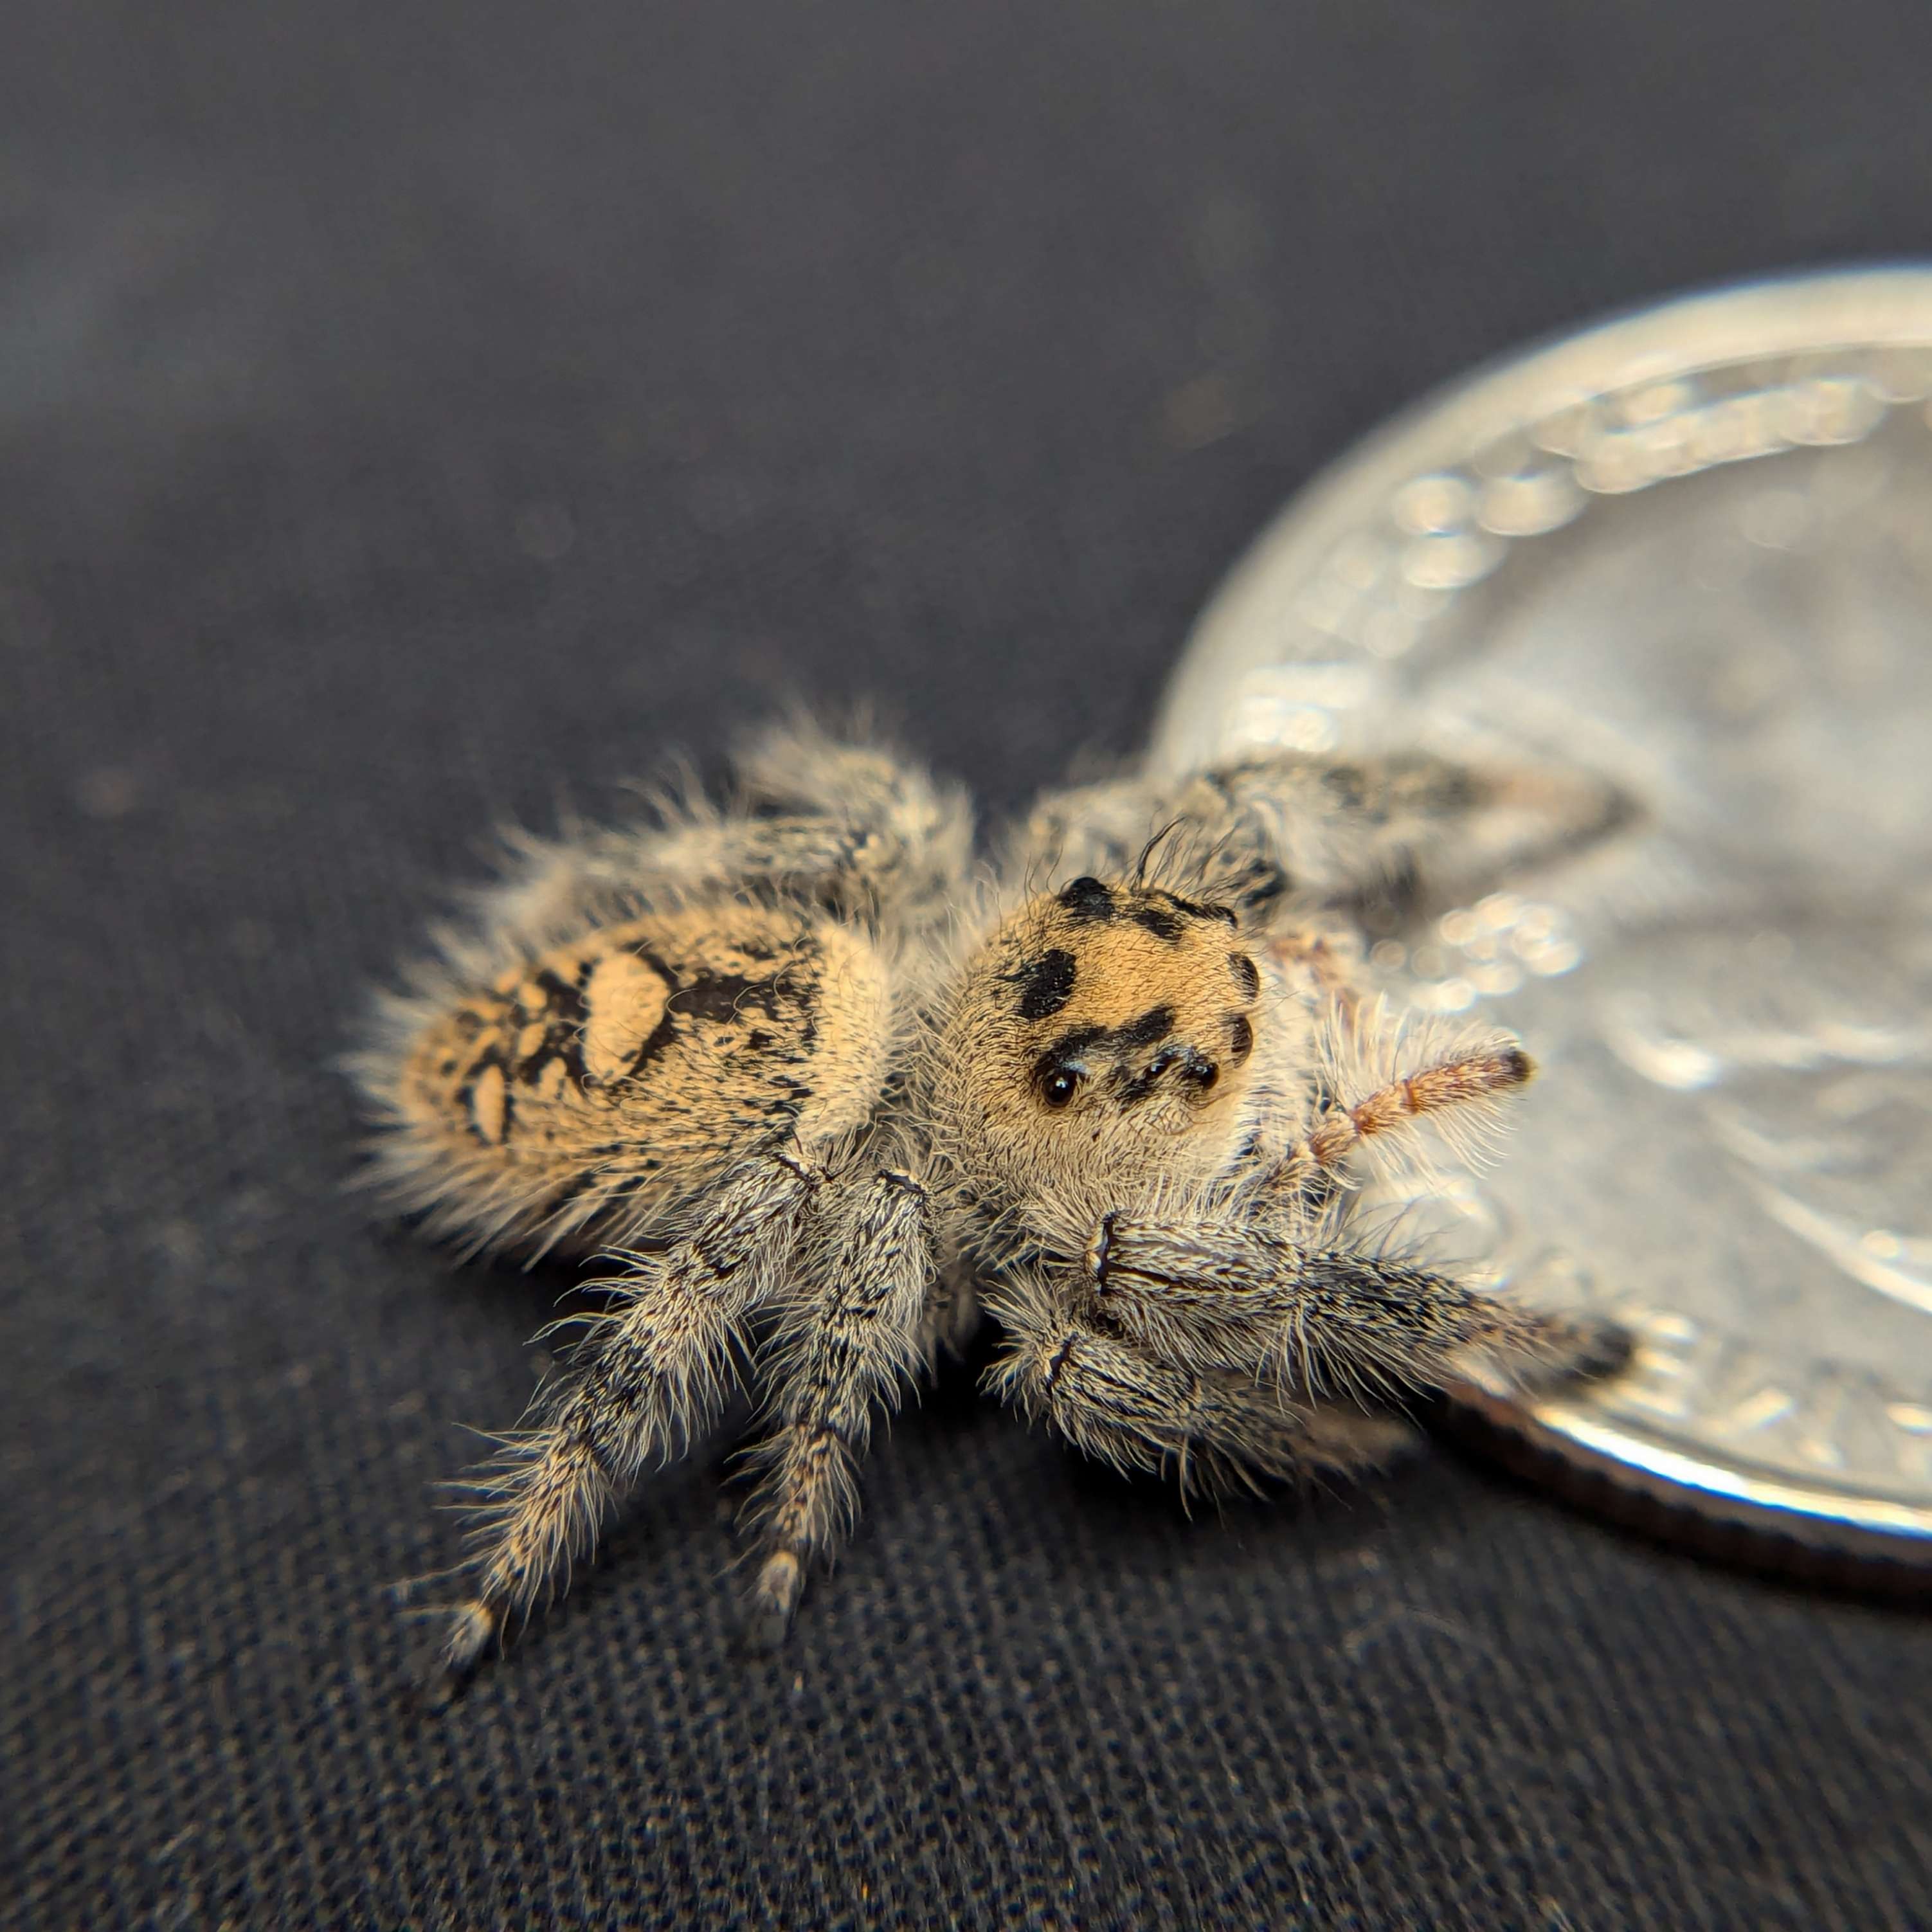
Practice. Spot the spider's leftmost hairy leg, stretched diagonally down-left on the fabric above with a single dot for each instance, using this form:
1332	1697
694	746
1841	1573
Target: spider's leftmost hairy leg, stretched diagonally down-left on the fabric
646	1380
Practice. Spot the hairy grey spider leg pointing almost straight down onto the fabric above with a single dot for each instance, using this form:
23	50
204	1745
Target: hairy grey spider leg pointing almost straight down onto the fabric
847	1348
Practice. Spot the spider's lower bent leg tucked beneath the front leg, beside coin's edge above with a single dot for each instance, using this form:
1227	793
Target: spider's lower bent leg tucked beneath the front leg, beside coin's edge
1120	1404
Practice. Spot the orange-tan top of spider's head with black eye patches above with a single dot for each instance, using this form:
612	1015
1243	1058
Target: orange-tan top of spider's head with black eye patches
1104	1035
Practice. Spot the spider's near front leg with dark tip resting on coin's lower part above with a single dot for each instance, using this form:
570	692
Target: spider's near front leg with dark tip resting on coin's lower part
1226	1293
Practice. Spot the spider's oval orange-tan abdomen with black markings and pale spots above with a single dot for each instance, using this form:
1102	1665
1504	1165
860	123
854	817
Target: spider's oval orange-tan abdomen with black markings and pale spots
590	1083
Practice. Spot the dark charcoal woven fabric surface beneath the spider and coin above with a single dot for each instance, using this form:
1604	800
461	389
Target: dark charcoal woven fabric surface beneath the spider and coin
414	414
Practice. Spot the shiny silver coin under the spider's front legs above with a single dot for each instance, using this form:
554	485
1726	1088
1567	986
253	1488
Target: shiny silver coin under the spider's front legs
1691	552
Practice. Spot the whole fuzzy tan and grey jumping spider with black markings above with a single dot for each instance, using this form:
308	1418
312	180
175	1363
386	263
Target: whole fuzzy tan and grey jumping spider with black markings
820	1089
